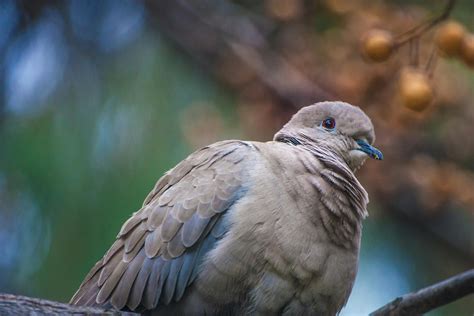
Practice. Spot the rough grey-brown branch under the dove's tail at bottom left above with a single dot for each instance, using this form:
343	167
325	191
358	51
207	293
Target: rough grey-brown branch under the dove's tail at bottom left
22	305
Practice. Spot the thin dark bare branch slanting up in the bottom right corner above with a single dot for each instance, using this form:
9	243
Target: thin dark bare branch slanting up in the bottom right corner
431	297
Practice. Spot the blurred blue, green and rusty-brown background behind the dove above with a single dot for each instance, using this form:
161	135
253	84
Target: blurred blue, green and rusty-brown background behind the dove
99	98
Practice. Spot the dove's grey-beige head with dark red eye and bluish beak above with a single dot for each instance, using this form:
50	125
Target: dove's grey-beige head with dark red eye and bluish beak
338	127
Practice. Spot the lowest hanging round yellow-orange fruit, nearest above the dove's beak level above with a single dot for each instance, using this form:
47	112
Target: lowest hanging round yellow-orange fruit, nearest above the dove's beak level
415	90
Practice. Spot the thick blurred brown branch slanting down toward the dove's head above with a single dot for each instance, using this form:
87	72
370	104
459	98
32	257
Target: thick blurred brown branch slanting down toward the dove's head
211	29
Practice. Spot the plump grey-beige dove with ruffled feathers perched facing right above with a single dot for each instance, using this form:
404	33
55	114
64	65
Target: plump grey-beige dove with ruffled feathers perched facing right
247	228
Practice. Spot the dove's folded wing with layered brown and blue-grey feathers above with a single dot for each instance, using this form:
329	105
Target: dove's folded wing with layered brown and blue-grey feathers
158	251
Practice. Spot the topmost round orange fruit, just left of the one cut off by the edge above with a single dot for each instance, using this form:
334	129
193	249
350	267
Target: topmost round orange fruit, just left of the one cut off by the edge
449	37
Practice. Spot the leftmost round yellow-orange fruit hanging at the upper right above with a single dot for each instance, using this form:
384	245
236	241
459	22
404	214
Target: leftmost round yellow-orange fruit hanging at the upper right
378	45
